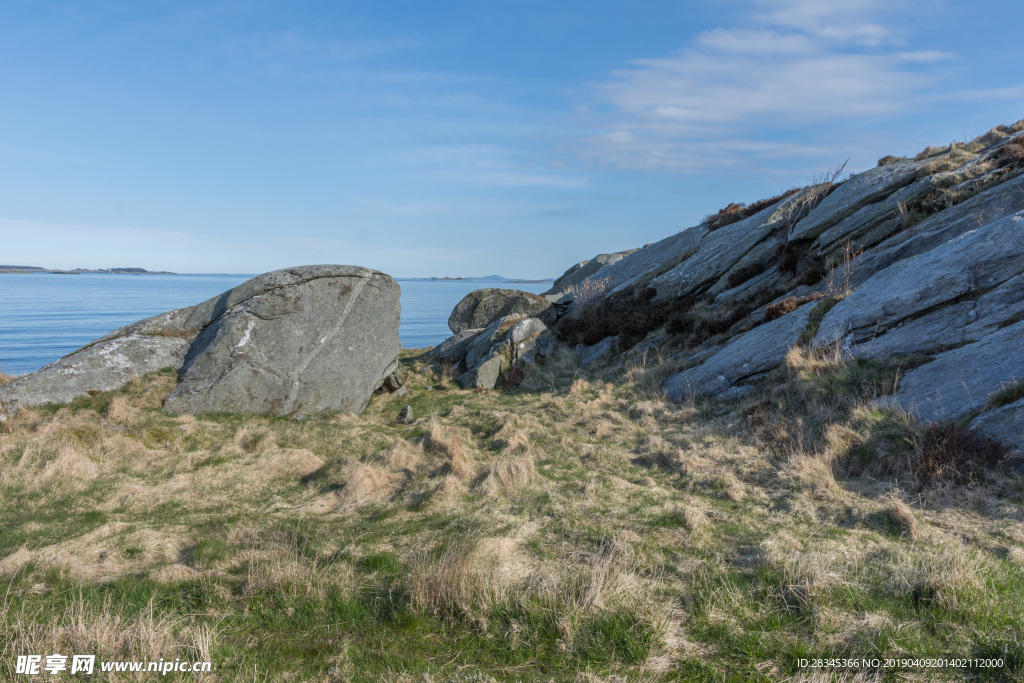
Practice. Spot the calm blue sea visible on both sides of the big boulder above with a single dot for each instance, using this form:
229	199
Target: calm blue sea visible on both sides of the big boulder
46	317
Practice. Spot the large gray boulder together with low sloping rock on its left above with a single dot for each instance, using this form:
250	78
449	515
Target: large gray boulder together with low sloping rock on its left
293	343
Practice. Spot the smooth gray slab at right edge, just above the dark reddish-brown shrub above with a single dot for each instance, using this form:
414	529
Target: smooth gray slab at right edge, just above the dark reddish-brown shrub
962	380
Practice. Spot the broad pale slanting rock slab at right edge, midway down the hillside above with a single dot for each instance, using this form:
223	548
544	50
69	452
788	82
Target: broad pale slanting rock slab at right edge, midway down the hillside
970	264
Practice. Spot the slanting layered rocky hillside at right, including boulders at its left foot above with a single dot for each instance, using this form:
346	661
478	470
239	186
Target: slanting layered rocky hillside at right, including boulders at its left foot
919	260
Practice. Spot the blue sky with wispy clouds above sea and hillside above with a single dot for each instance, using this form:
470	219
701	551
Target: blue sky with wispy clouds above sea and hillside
457	139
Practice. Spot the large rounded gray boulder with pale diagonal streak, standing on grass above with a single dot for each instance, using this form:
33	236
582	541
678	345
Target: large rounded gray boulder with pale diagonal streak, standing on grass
298	343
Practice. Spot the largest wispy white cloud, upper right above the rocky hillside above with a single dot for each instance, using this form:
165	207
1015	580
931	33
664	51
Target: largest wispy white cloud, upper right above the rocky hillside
738	94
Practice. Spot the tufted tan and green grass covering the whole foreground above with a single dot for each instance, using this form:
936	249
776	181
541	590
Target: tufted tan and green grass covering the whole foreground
576	531
